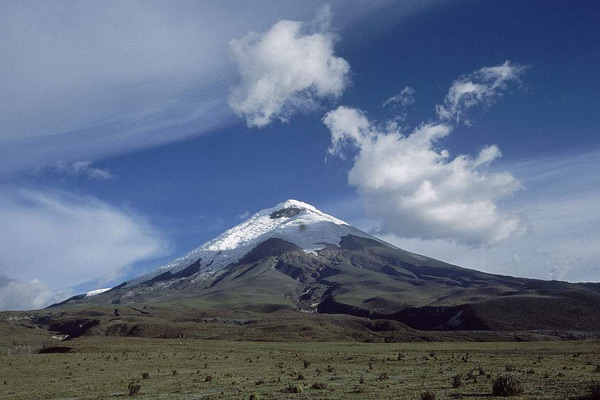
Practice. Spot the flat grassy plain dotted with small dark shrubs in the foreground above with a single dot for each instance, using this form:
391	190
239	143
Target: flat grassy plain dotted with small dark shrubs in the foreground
101	367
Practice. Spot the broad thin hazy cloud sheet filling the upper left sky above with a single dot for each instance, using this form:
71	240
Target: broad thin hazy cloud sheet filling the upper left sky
86	80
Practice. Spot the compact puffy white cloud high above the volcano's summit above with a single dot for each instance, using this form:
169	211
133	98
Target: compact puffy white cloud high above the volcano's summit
285	70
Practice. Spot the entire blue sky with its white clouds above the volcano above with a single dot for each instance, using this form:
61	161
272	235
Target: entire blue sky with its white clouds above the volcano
133	132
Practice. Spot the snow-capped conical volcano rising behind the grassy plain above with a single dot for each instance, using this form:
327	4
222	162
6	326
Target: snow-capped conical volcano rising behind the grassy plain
295	257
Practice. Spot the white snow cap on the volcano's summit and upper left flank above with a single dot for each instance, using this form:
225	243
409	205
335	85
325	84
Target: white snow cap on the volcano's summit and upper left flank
293	221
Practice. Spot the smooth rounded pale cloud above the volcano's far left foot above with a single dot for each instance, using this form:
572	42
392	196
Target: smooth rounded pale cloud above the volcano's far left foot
55	240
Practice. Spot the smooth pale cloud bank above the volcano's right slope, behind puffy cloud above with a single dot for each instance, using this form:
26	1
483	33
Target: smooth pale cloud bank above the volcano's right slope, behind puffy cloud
562	211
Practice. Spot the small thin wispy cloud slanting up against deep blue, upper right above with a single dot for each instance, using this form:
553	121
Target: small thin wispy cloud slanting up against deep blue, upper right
481	87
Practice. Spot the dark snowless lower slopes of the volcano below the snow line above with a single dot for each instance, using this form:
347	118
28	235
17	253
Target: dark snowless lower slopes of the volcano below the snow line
368	278
